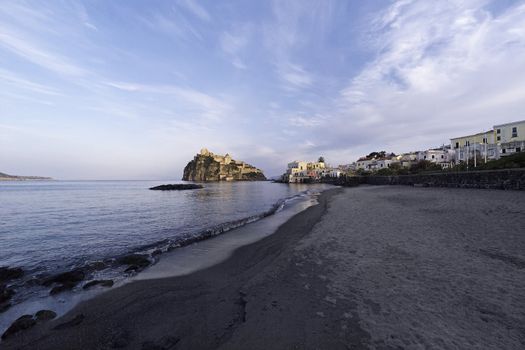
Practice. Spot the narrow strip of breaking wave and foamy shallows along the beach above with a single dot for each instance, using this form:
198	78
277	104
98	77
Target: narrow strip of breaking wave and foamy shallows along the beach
110	268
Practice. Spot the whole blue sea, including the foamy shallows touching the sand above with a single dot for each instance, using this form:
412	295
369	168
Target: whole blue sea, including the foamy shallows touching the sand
49	227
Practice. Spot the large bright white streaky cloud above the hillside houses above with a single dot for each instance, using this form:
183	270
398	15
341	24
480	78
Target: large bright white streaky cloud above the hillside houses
439	70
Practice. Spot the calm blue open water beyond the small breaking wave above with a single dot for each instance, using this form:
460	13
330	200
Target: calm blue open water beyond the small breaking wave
45	226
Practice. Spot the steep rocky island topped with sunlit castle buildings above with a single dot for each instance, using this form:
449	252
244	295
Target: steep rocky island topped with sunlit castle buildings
207	166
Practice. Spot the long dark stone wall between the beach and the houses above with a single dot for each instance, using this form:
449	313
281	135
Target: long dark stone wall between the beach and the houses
511	179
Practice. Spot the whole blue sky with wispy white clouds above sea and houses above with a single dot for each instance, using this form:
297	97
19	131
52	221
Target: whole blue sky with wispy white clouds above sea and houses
134	89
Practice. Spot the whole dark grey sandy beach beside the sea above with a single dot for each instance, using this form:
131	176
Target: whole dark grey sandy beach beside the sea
383	267
